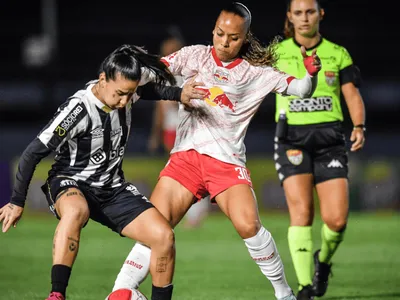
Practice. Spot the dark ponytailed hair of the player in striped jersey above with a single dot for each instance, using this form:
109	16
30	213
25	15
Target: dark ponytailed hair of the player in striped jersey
129	61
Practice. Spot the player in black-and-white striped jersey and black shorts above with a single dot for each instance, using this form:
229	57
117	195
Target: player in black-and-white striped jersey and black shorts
89	134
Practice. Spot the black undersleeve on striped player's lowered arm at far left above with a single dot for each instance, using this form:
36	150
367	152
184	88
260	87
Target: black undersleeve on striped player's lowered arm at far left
32	155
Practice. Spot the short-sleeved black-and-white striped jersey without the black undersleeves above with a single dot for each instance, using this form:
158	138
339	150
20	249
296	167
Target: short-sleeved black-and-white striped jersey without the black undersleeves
89	142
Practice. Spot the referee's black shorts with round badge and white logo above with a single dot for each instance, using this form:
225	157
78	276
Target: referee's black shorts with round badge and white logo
318	149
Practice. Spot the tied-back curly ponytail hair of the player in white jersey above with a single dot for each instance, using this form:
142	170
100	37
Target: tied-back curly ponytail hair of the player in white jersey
253	51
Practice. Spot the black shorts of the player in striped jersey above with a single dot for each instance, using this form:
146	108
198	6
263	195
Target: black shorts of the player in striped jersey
112	207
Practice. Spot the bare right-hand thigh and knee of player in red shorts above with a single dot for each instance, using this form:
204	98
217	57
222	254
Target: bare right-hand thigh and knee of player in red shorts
240	205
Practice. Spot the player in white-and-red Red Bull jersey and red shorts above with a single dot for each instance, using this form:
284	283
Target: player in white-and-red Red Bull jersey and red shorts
209	152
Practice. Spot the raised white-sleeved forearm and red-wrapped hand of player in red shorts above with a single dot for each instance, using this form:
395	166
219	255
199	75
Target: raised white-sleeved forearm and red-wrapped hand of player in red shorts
305	87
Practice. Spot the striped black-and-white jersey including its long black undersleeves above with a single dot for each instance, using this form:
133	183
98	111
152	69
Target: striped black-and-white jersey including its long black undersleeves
88	138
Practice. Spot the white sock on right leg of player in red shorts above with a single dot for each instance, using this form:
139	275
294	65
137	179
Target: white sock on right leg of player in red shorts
263	251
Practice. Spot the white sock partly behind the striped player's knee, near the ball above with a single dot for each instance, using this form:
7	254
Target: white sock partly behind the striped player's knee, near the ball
135	268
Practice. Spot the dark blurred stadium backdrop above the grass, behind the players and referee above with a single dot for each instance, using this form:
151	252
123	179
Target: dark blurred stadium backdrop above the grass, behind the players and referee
49	49
